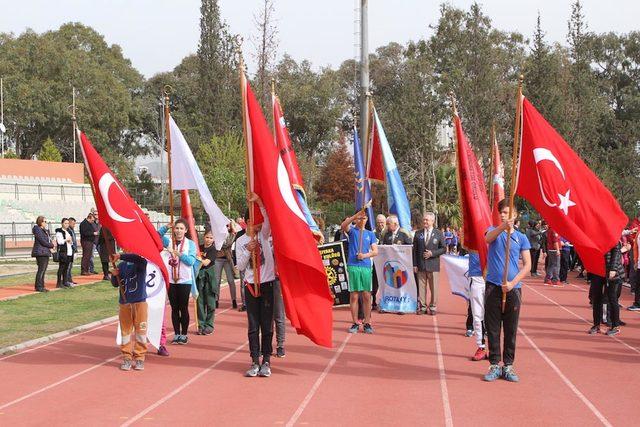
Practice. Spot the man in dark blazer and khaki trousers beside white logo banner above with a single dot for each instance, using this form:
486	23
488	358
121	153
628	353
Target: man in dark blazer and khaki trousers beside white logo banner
428	245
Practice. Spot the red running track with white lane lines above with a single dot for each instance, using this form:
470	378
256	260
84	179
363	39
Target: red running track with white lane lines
415	370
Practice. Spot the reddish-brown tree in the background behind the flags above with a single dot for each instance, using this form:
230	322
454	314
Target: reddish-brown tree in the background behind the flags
337	176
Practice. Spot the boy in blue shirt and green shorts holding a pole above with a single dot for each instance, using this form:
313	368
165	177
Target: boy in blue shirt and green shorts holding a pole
359	267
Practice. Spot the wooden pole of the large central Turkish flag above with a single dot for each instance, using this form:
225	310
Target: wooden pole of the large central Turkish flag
255	260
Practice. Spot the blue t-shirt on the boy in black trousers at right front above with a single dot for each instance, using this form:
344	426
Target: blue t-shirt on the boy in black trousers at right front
497	250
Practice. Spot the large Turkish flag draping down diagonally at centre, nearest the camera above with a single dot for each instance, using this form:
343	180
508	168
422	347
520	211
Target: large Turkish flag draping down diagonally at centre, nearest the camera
305	290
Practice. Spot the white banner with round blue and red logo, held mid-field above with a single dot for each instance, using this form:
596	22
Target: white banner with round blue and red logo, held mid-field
397	291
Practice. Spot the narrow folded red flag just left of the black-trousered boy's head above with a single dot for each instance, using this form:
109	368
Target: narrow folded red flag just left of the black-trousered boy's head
476	215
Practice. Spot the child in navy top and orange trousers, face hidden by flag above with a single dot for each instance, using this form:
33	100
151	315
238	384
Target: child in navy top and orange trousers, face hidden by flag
130	277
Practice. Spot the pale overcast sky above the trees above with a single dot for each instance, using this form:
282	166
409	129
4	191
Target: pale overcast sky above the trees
156	34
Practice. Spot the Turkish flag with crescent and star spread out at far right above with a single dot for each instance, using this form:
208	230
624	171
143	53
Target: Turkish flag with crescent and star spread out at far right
567	194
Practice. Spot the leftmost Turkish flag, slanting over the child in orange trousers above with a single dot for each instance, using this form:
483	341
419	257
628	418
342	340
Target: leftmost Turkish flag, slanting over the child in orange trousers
119	212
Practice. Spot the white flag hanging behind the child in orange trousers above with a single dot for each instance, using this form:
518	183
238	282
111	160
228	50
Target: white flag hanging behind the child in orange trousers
156	300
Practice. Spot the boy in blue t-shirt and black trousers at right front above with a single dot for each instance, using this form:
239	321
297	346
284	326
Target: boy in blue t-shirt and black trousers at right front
494	318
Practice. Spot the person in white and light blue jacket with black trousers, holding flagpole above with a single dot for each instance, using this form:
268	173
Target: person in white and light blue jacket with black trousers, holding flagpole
180	265
